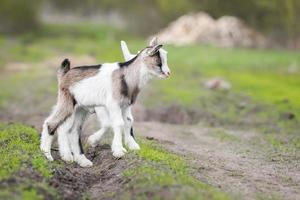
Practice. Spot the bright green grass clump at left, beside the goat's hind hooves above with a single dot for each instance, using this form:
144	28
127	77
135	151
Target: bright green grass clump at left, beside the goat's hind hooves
19	148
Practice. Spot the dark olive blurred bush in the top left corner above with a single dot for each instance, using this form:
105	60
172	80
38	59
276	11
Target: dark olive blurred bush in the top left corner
19	15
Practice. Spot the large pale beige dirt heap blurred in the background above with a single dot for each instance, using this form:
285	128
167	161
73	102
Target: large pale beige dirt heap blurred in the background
201	28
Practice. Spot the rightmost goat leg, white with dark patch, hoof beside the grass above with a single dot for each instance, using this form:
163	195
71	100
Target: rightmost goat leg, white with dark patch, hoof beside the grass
128	130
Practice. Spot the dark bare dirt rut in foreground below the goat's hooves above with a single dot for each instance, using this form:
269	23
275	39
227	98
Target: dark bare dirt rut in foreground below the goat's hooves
105	177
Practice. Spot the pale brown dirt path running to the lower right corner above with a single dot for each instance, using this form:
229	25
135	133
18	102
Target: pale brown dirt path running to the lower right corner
244	170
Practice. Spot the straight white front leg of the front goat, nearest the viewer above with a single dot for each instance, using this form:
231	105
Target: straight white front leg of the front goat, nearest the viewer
115	114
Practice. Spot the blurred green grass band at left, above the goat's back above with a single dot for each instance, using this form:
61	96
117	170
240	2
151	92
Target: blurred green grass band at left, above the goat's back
101	42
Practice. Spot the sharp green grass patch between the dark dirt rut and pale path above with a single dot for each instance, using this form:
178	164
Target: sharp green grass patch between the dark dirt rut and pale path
164	175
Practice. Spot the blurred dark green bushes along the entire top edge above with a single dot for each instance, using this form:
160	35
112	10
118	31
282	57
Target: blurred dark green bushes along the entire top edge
277	18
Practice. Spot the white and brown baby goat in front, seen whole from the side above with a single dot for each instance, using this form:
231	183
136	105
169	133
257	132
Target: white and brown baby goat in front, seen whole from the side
112	86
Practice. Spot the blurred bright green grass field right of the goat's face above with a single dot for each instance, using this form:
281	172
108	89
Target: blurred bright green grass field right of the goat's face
261	74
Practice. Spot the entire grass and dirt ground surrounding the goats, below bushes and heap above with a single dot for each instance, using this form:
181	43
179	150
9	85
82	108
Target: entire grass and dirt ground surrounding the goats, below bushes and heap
241	143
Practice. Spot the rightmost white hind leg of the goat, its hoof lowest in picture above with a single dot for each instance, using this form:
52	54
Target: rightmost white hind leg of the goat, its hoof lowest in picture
75	140
